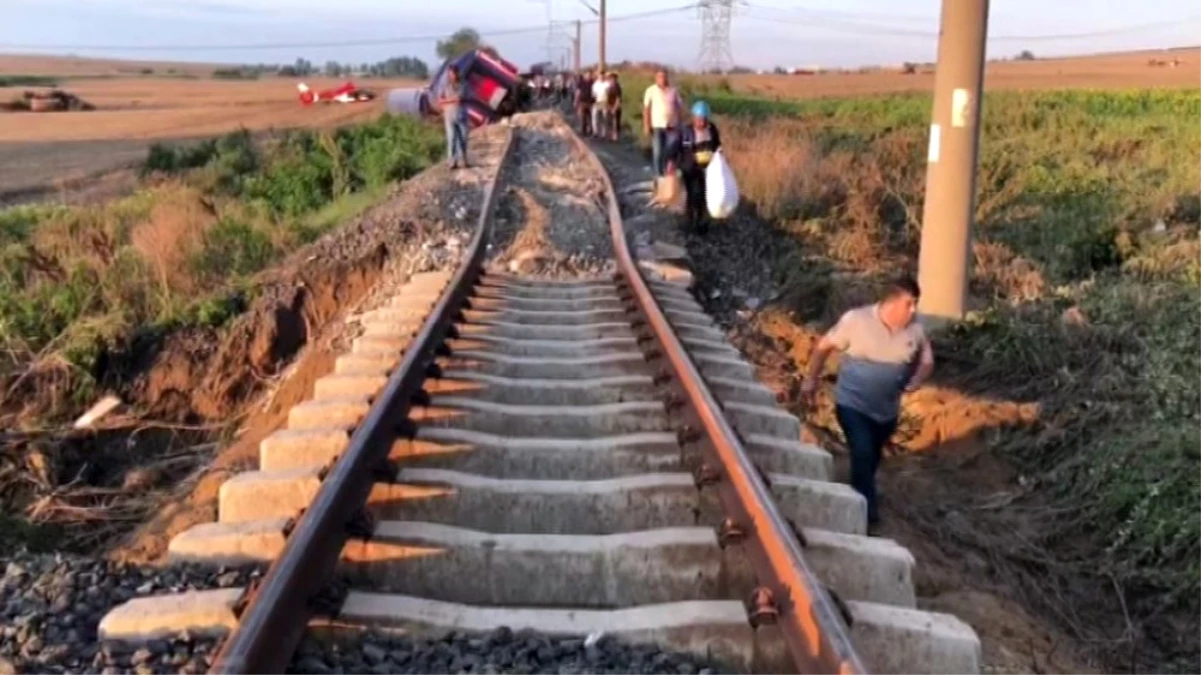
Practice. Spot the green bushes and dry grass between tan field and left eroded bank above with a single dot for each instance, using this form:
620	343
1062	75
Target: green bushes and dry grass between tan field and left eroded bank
77	284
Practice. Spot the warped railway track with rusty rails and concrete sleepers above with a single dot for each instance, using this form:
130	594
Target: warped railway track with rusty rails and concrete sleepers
567	457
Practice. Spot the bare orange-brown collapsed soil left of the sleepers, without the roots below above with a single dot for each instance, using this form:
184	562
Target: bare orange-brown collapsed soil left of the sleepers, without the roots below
273	357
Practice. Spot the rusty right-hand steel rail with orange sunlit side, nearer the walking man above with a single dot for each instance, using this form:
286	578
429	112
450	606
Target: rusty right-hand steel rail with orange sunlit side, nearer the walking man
808	618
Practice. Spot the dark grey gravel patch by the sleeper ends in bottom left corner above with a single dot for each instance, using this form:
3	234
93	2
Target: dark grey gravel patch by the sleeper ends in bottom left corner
52	606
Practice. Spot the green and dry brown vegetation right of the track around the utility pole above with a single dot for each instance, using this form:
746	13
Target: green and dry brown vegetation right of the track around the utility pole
1086	285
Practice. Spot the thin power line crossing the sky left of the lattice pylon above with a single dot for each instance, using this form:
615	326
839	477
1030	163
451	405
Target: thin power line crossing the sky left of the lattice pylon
373	43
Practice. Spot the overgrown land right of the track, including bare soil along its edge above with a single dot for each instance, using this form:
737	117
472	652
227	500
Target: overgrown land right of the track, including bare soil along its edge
1055	457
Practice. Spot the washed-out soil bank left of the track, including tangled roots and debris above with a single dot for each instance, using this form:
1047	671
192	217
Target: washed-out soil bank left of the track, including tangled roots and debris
190	392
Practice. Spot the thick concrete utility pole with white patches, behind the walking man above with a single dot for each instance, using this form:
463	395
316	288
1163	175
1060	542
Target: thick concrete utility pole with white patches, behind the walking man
952	169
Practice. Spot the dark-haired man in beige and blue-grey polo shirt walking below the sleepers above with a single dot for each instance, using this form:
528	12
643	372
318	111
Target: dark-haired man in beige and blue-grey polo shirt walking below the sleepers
885	354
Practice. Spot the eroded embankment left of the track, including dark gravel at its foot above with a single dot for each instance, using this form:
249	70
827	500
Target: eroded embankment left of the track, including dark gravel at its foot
242	381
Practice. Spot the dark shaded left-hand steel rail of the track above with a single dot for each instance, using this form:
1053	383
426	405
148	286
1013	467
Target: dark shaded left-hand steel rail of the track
278	612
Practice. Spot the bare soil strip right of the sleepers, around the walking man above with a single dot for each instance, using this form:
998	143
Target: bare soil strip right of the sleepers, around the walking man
937	464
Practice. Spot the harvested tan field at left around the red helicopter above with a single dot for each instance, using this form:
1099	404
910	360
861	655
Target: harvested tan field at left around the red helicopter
64	154
